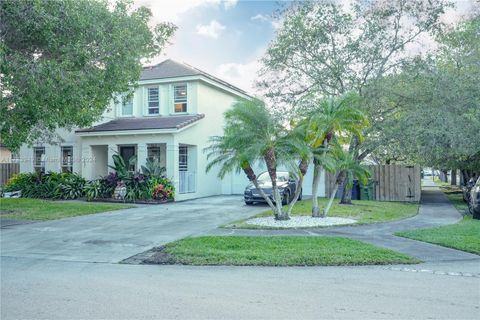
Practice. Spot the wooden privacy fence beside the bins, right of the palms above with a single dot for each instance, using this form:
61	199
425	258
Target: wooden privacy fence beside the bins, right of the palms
390	183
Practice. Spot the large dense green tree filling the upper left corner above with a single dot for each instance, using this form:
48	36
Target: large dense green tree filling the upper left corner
61	62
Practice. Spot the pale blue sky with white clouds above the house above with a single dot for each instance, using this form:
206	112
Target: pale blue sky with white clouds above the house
226	38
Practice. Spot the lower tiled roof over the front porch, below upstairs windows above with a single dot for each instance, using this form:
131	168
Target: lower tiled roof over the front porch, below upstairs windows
171	122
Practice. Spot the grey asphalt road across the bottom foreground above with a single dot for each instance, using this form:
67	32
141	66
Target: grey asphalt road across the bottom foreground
50	289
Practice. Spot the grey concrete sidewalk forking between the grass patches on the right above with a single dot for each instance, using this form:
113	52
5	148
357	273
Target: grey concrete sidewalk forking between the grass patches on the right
435	210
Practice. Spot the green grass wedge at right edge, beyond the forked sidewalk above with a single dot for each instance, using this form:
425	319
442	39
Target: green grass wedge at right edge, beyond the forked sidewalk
464	235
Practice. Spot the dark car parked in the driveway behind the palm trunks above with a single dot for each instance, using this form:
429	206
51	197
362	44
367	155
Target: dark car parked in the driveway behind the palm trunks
286	182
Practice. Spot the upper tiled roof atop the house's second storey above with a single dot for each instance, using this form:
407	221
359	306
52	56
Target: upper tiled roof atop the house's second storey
173	69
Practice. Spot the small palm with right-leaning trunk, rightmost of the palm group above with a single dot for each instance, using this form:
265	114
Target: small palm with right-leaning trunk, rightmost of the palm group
348	168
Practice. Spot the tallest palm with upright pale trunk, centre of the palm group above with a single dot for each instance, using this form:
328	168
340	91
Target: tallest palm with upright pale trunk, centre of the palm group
333	117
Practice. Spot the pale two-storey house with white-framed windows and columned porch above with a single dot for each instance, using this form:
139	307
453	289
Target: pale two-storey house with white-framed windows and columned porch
173	112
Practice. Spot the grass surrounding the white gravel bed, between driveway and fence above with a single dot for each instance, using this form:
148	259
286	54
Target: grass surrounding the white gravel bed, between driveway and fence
364	211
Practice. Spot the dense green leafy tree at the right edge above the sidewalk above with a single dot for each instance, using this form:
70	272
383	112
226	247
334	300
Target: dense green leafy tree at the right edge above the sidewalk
437	122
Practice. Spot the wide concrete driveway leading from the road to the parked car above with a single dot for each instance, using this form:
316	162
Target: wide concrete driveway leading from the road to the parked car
117	235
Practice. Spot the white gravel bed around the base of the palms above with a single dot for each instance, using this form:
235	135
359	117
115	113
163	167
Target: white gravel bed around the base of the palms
300	222
